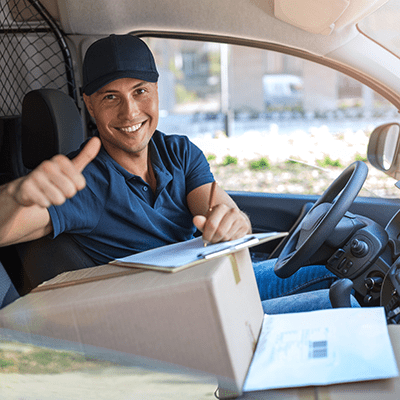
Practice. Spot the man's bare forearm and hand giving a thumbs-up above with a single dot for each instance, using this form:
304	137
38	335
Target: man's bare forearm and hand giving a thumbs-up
23	202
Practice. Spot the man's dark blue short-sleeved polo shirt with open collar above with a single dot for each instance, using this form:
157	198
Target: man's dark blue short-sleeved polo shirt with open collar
117	214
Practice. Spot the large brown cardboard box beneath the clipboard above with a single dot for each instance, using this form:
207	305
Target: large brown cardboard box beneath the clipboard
207	317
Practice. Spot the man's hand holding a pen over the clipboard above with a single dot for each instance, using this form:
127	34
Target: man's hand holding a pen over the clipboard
223	223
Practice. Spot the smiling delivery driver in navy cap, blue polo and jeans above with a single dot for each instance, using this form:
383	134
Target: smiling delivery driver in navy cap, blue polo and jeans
132	188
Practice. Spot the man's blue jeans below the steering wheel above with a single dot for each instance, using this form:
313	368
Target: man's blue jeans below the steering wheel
305	290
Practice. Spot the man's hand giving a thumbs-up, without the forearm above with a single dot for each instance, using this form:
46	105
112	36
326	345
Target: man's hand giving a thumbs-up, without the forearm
54	180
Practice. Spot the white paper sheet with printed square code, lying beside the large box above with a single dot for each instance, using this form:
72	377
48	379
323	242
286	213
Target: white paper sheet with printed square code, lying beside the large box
321	348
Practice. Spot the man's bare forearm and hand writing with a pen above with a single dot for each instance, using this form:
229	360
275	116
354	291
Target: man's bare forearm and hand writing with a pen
224	222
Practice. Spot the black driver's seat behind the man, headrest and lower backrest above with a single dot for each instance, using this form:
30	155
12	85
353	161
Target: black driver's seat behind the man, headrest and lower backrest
50	124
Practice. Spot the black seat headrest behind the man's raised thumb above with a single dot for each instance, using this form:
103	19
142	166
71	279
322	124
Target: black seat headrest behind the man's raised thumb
50	124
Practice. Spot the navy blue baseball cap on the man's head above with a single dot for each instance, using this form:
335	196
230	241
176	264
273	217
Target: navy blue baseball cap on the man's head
115	57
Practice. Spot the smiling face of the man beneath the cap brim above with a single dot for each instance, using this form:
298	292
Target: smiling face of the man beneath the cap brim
126	114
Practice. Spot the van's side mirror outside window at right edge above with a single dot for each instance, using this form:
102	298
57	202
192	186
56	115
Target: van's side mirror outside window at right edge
384	148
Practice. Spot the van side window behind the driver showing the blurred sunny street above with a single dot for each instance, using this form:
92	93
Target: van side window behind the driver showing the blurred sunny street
268	122
